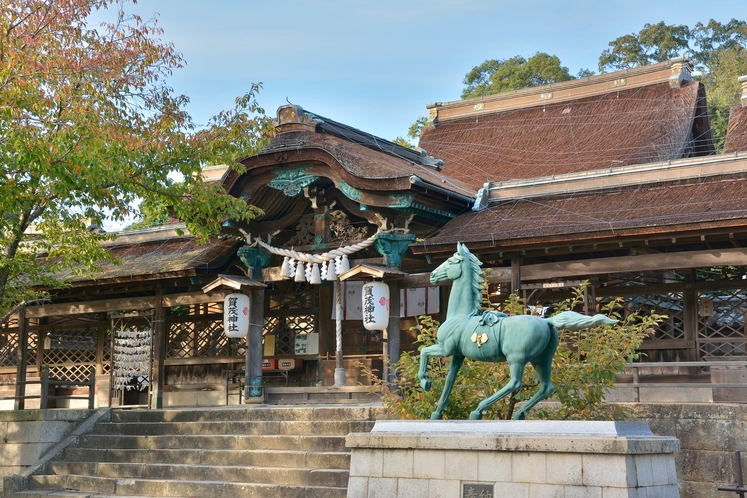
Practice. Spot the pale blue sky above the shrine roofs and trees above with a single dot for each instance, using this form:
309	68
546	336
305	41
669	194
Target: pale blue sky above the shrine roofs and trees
376	64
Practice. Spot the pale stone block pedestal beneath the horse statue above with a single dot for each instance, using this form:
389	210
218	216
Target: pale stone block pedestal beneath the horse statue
520	459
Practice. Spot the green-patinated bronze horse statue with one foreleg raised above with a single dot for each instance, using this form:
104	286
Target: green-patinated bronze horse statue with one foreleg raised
467	332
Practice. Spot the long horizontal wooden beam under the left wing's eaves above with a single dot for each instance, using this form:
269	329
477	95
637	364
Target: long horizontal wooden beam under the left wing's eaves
128	303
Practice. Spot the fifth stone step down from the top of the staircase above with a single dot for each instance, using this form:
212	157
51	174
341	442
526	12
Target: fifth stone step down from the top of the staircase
302	476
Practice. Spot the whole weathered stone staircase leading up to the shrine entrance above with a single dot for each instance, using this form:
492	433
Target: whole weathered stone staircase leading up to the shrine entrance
247	451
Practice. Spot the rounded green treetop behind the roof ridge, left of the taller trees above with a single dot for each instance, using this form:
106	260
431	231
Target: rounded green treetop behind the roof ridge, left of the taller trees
497	76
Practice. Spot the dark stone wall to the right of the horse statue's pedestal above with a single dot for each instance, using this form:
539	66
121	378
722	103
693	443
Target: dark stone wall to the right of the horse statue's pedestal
709	434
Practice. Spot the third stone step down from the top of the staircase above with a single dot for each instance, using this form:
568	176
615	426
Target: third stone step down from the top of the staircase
229	442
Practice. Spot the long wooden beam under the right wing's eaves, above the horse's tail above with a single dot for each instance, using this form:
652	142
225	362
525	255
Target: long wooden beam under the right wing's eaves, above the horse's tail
636	264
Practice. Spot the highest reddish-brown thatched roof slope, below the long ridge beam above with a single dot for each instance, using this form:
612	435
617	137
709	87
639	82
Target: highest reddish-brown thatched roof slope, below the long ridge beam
615	128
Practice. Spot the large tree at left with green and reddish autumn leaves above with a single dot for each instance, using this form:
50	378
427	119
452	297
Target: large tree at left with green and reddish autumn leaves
88	126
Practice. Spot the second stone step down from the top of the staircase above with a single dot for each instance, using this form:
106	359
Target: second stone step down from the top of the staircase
285	427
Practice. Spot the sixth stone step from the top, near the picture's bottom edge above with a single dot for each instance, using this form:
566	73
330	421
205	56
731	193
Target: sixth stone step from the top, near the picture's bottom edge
171	488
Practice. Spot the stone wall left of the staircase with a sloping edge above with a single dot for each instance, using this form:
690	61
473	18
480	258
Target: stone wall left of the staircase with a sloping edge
26	435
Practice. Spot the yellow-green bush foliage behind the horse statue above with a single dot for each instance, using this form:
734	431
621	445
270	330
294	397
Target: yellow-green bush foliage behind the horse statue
585	366
